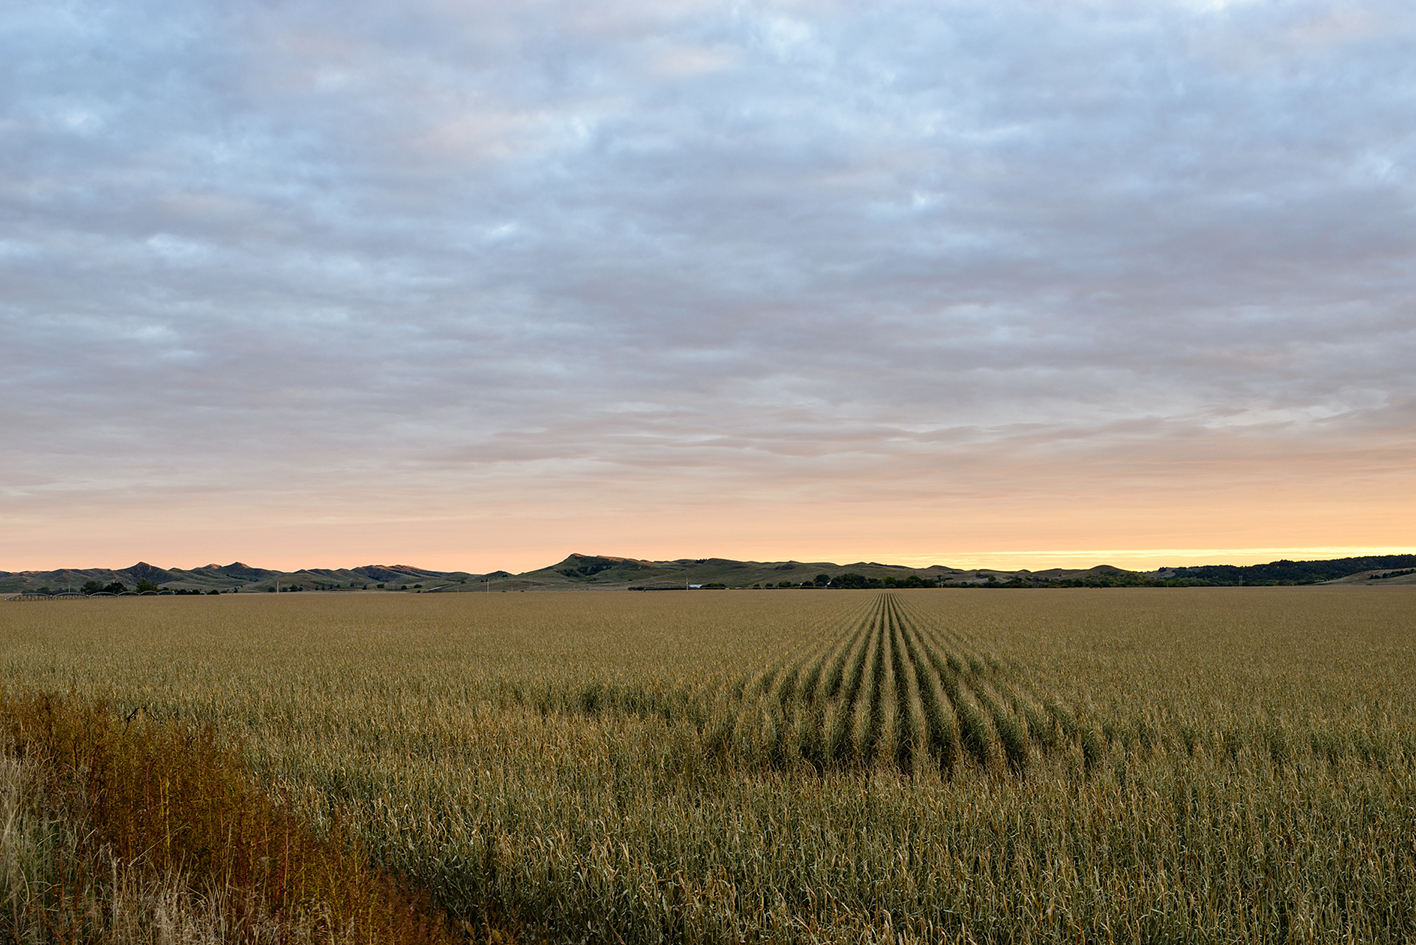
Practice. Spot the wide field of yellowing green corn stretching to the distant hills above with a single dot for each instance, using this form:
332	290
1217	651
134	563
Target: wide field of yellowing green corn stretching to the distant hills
1192	766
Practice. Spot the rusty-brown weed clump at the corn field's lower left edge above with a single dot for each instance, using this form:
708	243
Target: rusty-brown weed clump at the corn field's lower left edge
135	797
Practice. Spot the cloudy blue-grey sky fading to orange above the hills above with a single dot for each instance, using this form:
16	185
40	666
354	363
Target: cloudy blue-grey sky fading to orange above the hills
475	285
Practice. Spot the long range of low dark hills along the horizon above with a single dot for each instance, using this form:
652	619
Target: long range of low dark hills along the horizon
618	573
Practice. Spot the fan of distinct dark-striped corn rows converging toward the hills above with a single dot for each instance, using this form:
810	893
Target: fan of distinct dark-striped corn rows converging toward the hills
890	692
